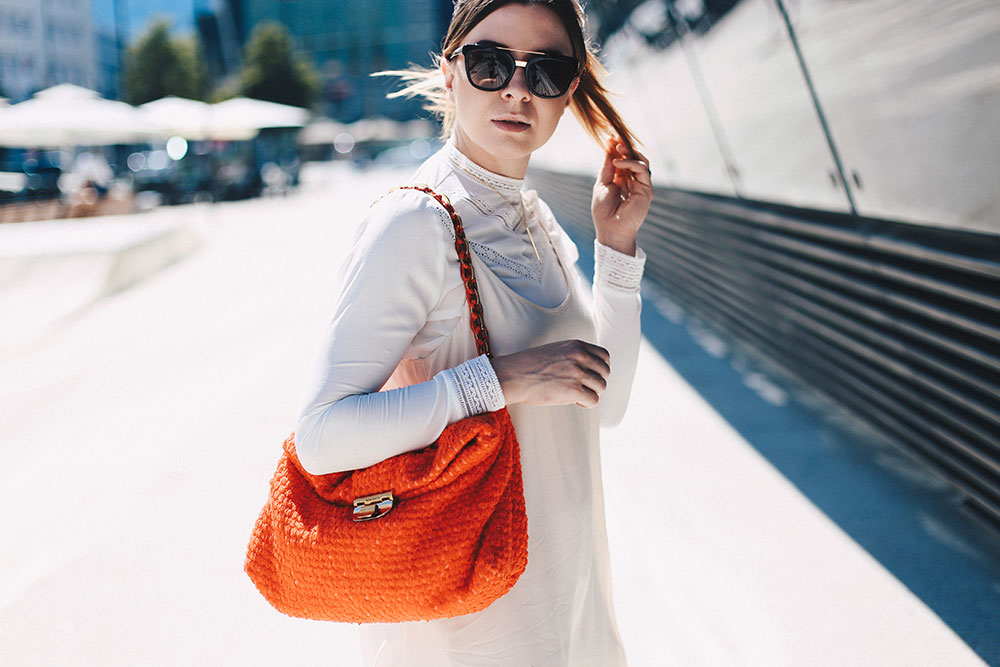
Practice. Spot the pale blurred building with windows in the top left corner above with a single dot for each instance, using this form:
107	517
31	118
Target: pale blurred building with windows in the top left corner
44	43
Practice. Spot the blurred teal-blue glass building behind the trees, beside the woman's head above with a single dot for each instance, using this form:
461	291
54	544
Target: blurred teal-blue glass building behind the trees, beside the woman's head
346	41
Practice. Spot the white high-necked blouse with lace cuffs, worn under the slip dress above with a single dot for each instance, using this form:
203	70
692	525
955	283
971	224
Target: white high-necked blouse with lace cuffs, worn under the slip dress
402	296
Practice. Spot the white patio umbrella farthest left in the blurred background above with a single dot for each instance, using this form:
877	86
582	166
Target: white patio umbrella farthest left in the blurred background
68	115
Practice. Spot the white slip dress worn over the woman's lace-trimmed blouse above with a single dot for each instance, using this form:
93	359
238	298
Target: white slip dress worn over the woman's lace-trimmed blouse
560	612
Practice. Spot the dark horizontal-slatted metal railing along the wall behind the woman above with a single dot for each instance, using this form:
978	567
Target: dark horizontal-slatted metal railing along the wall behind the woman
898	323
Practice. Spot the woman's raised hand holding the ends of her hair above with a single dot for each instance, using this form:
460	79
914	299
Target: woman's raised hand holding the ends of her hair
622	195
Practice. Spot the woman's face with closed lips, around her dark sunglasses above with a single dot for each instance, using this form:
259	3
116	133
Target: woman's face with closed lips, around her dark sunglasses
500	129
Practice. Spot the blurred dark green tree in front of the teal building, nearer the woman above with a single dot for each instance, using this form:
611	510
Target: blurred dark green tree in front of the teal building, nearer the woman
273	72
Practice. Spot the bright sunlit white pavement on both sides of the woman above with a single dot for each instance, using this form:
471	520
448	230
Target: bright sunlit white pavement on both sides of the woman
139	433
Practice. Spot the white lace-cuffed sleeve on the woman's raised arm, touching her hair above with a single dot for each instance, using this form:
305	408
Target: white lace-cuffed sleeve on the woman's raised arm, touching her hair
617	306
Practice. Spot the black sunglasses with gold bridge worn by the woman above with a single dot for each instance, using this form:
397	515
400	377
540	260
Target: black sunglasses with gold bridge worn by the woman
492	67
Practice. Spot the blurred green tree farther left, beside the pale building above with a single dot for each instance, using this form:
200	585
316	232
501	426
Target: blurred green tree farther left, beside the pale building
159	65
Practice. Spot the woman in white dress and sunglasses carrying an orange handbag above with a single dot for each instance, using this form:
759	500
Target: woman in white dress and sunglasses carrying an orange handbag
399	362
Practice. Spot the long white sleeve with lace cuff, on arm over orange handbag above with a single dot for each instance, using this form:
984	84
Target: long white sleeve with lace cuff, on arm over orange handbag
393	279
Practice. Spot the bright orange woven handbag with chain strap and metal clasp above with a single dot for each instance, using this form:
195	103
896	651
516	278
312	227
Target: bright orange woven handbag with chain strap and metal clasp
428	534
